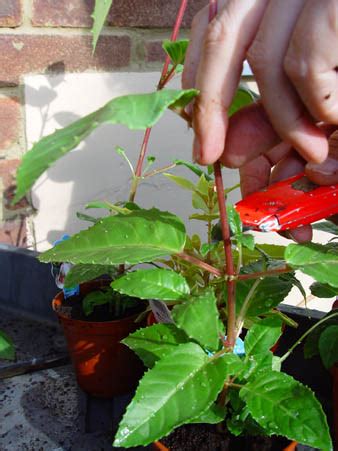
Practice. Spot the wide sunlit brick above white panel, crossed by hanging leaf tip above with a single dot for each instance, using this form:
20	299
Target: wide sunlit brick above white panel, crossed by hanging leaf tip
22	54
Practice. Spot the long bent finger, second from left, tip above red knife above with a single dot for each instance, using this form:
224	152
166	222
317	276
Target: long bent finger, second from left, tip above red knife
280	100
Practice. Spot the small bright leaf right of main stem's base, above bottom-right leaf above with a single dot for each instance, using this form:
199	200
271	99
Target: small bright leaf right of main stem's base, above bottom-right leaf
262	336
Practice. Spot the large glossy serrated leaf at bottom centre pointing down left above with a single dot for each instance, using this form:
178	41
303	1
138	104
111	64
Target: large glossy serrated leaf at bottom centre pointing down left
179	388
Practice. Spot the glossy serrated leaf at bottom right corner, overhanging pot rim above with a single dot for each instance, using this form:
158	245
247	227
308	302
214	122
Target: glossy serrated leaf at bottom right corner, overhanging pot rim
283	406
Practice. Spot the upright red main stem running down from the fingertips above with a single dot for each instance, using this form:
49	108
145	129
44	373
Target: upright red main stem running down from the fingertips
229	270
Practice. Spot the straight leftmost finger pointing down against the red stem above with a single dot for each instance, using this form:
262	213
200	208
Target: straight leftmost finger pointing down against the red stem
223	52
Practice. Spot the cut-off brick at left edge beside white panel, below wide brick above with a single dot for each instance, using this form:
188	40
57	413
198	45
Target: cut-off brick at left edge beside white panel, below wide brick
9	122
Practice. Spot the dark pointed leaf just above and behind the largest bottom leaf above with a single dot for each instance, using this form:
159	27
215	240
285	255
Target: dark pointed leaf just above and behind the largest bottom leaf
155	342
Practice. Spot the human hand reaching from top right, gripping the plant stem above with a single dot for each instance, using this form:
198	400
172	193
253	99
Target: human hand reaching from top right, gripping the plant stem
289	45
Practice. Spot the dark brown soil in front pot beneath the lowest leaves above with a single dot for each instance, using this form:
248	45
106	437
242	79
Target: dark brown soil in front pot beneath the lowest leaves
205	437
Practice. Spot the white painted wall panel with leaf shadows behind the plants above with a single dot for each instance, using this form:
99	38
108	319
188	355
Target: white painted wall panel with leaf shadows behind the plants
94	171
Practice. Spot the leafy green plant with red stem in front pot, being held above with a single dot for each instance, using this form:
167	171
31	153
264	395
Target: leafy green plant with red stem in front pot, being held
211	361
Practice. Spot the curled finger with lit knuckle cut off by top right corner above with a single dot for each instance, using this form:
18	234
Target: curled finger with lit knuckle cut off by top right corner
311	63
